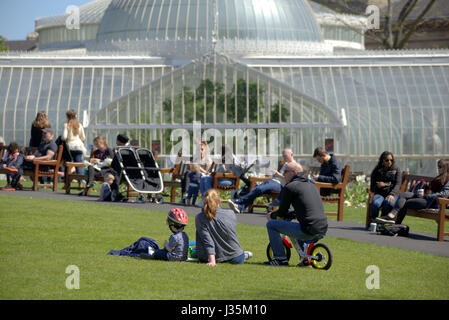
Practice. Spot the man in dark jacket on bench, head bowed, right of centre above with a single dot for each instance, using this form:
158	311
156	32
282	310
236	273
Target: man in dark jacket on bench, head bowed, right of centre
330	170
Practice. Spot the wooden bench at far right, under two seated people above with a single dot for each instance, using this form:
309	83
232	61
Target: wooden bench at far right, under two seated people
440	215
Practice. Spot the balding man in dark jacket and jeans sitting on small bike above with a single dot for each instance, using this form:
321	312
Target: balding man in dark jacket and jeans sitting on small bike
303	195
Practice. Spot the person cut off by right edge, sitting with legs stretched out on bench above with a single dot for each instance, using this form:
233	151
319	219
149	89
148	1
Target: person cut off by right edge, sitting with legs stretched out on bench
439	188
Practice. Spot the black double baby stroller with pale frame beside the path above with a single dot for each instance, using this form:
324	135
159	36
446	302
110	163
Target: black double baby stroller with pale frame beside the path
141	171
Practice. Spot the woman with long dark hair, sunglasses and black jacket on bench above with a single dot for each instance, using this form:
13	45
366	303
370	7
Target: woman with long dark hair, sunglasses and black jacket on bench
385	183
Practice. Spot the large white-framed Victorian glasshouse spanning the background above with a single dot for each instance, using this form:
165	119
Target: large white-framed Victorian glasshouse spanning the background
260	75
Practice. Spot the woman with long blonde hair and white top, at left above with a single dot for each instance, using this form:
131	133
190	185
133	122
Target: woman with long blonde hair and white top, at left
74	137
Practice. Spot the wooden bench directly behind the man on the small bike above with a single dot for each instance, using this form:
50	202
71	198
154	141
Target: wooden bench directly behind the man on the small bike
338	188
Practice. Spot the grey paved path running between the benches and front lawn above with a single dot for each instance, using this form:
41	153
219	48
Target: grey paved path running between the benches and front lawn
347	230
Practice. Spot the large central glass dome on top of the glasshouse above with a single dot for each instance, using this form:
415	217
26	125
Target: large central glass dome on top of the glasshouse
195	26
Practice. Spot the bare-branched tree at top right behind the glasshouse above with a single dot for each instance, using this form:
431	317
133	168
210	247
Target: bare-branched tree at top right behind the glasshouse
397	25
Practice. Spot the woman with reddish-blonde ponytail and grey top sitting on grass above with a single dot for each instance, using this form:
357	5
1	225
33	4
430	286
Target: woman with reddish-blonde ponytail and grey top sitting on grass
216	233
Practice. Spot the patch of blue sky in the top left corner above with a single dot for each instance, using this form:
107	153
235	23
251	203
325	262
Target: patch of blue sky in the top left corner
17	16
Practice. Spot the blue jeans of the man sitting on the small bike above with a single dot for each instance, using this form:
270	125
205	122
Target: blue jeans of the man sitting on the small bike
292	229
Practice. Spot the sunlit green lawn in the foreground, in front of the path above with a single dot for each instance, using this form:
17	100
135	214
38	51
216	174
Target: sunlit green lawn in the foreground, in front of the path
39	238
